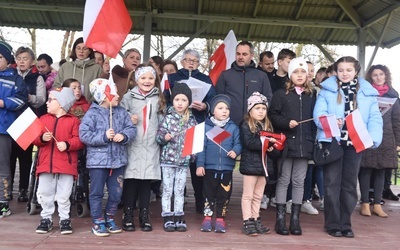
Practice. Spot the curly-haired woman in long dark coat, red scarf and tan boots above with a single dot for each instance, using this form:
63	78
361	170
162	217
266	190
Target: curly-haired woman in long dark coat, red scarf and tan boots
376	162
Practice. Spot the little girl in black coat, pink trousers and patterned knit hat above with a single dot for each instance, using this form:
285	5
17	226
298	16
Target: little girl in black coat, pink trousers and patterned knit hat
251	165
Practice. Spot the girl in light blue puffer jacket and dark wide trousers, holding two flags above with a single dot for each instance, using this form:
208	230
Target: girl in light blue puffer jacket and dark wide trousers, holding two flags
341	95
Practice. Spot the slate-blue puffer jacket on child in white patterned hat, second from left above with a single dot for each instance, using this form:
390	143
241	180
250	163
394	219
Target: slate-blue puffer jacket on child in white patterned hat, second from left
101	152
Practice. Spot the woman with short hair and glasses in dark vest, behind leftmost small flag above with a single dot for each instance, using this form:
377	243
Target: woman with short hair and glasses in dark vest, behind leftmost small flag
26	68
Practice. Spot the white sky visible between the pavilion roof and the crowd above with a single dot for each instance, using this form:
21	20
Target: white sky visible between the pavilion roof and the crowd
49	41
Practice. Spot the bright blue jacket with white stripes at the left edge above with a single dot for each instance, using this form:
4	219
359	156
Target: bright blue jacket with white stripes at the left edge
14	94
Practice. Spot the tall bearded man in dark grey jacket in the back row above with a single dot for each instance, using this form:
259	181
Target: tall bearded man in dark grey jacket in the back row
242	80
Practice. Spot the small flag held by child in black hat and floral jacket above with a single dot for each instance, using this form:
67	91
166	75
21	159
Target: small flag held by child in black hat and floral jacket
194	140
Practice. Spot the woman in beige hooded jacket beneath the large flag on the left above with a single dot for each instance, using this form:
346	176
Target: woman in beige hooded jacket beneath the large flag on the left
81	67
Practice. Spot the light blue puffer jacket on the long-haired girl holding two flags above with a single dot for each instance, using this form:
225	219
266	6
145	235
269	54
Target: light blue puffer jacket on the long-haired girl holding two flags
366	103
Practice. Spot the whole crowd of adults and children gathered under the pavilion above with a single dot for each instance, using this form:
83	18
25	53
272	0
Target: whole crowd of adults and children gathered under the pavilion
132	140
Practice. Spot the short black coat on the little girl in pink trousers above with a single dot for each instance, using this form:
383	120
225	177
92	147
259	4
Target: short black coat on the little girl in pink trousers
251	161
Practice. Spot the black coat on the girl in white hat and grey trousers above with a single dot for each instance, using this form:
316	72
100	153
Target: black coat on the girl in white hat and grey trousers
299	140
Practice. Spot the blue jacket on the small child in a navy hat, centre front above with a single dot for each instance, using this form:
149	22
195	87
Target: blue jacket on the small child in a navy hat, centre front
215	158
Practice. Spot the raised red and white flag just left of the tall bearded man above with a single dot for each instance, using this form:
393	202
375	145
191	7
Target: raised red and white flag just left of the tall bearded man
224	56
